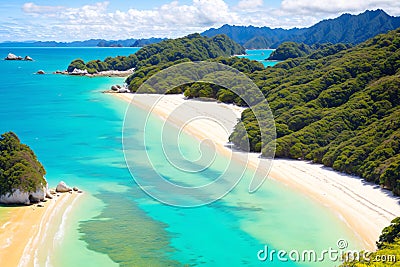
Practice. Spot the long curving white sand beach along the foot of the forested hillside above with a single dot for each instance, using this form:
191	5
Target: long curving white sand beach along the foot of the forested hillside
364	207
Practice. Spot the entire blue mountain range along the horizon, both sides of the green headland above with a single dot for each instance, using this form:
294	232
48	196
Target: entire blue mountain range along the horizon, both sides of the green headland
352	29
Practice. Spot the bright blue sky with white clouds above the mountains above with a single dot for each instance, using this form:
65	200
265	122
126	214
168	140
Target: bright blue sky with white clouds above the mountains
71	20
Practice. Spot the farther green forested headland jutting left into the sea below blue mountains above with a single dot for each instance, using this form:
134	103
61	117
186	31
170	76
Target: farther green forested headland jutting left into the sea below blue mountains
193	47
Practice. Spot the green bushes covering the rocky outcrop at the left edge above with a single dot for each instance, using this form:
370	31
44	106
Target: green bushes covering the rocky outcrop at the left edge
19	167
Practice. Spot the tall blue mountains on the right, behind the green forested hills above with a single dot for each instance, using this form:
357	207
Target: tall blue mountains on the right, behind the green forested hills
353	29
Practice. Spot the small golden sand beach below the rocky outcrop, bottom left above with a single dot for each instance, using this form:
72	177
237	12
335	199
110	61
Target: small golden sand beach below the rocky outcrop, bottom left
29	229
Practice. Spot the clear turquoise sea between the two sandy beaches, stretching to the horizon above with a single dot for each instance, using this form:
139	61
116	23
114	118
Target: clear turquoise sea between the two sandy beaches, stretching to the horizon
75	130
